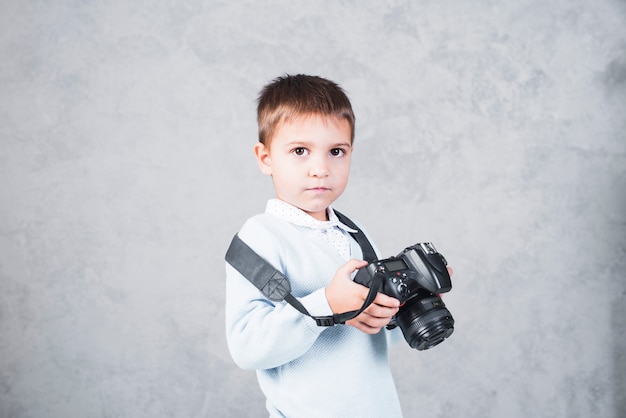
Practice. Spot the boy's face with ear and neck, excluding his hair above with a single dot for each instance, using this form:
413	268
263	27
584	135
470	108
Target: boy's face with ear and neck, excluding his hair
309	161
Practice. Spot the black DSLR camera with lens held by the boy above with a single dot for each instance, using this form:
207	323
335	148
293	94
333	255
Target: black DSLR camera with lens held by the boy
415	277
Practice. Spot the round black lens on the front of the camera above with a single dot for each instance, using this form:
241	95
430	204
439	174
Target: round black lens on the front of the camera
425	321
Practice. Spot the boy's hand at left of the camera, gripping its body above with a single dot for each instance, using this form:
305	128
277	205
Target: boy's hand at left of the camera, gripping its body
344	295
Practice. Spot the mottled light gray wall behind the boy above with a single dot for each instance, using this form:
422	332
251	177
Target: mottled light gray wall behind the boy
494	129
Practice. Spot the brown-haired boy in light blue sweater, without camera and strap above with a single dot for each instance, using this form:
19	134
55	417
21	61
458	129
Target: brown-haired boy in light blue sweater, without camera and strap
306	130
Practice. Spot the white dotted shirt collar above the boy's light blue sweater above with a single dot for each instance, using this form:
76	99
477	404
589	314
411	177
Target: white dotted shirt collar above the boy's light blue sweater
329	232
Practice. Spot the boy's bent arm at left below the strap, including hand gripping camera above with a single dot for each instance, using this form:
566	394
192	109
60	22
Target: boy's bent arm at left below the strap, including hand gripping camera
262	334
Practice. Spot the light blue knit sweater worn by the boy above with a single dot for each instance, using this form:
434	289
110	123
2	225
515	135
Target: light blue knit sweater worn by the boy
305	370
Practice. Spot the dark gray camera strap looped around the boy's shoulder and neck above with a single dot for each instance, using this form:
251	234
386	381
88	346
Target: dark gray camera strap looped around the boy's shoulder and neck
276	287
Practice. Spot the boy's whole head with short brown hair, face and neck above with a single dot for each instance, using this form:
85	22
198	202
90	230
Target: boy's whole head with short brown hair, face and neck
306	130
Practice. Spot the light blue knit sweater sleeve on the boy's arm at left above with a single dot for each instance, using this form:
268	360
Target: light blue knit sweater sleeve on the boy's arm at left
262	334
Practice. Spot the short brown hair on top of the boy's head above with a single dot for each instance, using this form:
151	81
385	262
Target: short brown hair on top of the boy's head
293	96
